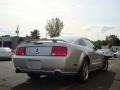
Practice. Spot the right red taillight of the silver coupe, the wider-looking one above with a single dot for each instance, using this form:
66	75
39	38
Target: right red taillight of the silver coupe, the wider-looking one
59	51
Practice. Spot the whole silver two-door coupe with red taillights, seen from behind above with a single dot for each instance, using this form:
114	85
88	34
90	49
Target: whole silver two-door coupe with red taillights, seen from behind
59	56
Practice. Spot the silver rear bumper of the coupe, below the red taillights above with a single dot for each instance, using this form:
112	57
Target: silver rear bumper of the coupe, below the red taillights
41	64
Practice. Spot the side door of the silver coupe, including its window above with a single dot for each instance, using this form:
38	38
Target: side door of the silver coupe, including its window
96	58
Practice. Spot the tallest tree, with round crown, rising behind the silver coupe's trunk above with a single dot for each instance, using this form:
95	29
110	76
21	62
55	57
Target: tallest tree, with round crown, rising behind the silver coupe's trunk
54	27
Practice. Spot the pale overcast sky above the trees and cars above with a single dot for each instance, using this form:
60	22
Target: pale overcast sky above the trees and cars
94	19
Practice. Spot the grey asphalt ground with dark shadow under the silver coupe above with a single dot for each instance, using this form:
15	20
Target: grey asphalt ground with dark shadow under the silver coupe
109	80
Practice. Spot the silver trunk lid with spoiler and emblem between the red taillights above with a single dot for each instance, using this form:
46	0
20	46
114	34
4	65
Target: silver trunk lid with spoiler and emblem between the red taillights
42	48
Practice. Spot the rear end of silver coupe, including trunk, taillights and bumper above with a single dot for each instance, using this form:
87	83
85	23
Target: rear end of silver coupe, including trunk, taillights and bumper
43	57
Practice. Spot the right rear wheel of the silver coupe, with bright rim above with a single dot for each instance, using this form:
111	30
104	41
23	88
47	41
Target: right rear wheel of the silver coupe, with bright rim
84	71
